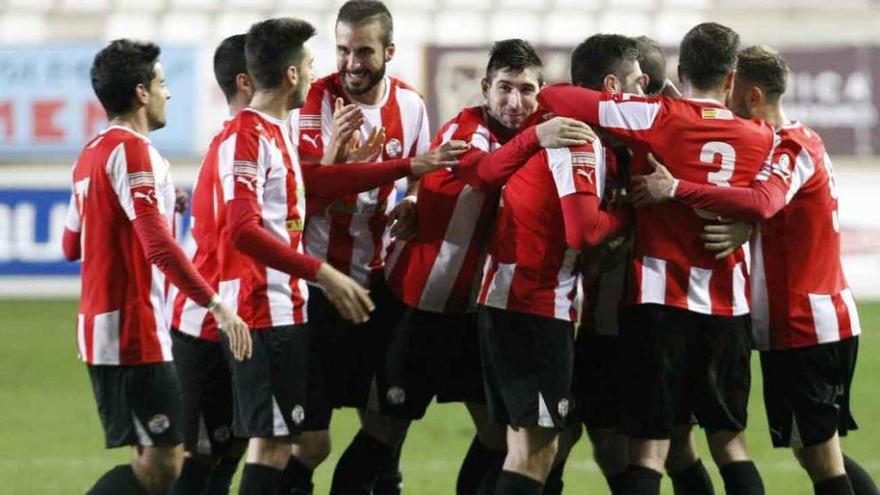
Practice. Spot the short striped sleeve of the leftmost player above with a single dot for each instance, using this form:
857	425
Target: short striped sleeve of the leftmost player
131	175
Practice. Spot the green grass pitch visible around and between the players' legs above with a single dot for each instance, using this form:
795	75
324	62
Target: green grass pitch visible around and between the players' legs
51	440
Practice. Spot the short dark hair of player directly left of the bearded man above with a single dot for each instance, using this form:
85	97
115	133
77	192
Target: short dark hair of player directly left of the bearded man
273	45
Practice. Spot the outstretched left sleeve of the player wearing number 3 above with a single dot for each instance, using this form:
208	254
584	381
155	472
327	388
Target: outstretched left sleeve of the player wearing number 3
626	116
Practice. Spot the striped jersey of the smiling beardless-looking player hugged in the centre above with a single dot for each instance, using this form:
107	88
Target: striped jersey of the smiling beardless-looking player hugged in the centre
440	268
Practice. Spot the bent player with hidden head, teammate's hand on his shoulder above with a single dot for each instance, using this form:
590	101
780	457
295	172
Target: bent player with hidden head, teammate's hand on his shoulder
549	212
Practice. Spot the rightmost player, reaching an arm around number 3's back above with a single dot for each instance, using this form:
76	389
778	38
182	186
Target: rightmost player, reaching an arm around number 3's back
804	317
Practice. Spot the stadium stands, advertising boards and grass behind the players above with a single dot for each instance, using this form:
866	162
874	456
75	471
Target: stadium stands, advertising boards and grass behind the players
50	439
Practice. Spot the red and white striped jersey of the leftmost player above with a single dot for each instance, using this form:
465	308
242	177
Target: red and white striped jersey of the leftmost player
123	318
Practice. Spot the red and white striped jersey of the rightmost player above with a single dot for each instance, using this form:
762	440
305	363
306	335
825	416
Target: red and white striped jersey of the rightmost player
799	293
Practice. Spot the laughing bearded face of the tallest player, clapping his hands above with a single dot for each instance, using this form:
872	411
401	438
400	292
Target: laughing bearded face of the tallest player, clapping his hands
360	56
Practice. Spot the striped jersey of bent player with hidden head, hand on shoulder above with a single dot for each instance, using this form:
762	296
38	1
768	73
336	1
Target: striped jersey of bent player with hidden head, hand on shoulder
530	268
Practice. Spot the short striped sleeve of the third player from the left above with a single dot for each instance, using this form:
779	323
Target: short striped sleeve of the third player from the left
243	172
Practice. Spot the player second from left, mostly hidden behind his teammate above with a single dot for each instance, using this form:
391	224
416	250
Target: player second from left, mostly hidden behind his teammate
212	452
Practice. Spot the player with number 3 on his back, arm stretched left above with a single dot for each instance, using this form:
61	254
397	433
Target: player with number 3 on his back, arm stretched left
685	343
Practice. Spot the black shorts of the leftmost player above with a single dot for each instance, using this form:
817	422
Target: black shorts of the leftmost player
138	405
